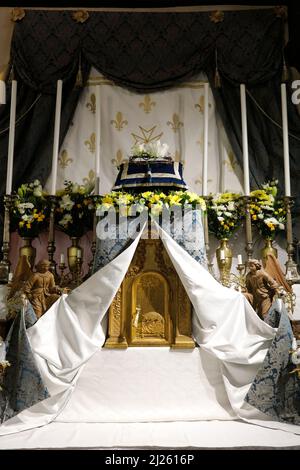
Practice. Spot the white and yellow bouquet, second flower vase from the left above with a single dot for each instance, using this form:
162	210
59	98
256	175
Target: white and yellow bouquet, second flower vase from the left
73	214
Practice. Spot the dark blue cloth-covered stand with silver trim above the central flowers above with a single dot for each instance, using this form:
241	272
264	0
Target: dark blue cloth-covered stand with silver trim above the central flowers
149	174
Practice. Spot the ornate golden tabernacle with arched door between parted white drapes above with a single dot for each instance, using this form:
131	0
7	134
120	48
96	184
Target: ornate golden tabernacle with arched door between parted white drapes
151	307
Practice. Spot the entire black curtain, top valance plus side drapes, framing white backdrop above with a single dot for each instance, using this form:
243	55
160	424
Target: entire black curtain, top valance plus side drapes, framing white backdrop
148	52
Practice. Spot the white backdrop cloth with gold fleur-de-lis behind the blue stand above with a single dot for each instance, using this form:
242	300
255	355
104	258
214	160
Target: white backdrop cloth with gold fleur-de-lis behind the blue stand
174	116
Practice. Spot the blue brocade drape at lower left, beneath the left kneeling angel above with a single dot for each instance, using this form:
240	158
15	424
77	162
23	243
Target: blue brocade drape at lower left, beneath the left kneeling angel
22	382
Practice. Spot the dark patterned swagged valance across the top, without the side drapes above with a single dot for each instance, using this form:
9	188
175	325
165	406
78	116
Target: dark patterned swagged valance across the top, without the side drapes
147	51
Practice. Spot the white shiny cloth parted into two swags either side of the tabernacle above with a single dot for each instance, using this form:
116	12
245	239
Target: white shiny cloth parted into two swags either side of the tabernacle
224	325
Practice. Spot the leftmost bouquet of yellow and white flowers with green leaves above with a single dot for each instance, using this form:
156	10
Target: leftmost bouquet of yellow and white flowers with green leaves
30	211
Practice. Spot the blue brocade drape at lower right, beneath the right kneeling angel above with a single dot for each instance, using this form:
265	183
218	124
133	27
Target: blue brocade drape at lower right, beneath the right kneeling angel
274	390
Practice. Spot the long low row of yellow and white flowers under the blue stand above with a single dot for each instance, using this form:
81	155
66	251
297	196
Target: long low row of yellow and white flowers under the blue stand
154	201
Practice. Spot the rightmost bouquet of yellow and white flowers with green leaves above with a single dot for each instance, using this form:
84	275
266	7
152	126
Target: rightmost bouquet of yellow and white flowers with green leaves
267	210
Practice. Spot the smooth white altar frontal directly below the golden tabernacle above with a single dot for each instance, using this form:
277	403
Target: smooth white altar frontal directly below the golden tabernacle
148	384
